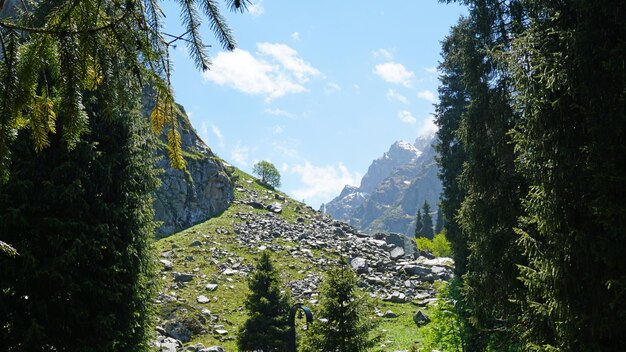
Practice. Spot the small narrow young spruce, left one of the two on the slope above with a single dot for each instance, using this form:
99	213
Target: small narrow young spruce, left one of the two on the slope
267	326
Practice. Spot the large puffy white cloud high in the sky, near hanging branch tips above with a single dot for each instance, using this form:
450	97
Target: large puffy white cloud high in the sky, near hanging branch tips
274	72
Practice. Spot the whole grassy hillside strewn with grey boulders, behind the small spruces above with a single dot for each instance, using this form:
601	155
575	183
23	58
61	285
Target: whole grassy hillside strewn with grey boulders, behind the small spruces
204	268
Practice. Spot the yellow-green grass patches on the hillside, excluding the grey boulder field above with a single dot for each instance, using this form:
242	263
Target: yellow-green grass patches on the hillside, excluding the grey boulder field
220	244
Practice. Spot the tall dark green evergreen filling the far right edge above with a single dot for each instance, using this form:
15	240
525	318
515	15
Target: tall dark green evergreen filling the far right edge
568	69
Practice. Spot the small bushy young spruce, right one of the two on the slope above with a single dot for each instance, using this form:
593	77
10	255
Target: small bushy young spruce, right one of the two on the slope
348	321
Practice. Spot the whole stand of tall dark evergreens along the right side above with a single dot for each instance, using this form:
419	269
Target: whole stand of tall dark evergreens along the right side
532	155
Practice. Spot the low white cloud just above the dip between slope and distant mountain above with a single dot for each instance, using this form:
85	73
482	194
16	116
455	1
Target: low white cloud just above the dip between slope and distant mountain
320	183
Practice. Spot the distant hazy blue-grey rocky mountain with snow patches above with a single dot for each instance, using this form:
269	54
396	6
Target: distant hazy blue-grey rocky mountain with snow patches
393	189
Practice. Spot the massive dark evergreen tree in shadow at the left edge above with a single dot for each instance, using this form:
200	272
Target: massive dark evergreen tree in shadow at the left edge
82	222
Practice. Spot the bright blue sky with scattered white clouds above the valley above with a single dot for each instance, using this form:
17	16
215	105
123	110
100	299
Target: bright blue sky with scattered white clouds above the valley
319	88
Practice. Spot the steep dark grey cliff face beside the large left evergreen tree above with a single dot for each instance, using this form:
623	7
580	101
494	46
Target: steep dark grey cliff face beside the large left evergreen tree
197	194
